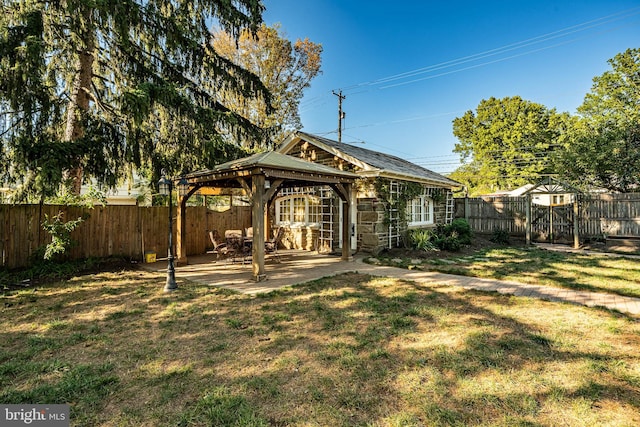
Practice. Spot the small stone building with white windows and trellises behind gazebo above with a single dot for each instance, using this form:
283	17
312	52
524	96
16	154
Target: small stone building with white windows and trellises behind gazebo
392	196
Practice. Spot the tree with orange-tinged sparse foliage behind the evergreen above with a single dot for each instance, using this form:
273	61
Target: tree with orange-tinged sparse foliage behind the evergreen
285	68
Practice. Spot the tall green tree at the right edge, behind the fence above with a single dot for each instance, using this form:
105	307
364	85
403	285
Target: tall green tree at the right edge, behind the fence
603	149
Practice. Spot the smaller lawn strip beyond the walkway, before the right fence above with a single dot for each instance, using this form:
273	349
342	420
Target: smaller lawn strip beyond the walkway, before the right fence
597	273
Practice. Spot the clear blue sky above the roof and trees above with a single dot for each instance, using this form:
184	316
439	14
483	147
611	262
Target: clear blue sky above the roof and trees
409	68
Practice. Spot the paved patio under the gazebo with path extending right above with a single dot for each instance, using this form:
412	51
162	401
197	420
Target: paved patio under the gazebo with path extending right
299	267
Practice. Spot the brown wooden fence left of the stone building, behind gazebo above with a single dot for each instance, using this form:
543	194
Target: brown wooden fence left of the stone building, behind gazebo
127	231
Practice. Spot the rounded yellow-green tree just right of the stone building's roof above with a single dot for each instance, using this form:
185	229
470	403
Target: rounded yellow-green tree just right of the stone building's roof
508	142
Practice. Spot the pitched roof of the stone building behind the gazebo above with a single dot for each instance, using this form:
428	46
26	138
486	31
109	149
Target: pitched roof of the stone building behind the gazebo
371	163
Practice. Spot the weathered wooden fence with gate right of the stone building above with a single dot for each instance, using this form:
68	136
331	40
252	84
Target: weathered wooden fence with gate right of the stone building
599	215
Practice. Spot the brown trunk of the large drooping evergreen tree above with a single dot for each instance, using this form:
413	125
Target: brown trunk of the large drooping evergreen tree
79	104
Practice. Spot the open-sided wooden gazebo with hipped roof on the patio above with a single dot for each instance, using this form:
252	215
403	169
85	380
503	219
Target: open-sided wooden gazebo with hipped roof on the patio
261	176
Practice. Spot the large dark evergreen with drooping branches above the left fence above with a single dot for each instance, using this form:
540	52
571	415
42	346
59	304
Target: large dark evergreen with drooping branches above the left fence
98	87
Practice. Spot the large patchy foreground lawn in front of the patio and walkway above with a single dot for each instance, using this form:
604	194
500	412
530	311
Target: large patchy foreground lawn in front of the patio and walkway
346	351
